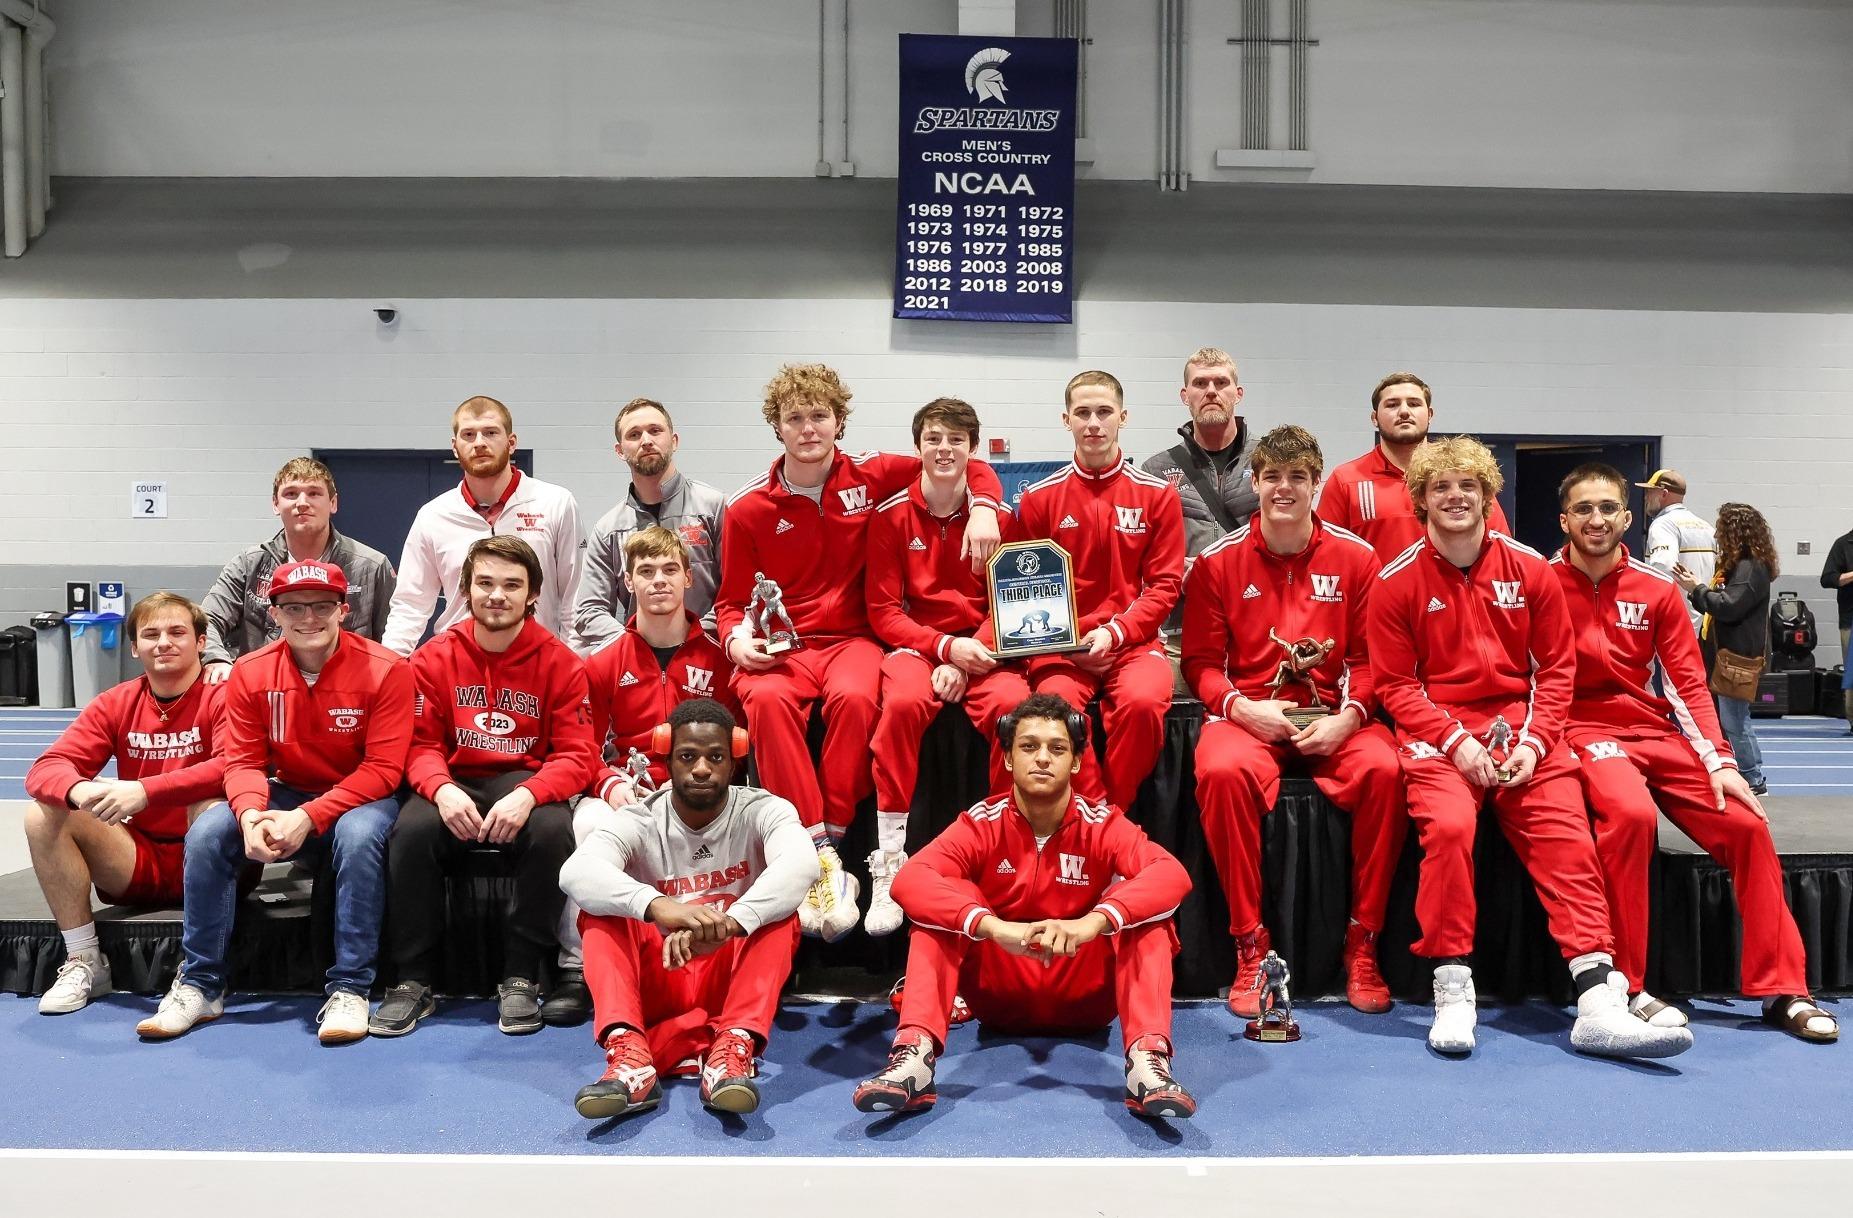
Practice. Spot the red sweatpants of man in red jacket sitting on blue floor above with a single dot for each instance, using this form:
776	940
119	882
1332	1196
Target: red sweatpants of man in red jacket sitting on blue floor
1126	974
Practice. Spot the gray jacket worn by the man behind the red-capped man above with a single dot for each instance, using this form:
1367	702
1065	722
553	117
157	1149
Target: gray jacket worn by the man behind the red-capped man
238	609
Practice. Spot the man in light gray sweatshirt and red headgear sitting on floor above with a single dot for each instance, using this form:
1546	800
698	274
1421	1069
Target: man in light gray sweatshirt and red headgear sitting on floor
690	922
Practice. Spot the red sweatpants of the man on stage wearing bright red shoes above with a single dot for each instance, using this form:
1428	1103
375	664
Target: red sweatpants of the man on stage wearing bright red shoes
1239	781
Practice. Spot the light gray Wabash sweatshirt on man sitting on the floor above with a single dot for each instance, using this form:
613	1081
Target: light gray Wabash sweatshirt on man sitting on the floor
755	861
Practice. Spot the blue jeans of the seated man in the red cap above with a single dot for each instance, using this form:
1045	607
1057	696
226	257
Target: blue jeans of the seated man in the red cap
216	857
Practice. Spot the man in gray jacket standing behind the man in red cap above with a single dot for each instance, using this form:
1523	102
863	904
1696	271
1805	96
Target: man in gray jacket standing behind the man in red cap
238	605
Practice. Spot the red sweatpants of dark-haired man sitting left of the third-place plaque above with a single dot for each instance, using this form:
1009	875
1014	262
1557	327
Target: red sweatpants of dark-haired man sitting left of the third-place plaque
909	709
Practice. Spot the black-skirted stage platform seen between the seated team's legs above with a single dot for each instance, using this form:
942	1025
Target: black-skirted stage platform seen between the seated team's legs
281	941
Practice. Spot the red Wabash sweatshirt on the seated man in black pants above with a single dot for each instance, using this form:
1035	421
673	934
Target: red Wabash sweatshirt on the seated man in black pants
483	715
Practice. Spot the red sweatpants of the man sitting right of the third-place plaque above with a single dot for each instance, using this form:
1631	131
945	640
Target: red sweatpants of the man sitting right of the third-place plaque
1135	698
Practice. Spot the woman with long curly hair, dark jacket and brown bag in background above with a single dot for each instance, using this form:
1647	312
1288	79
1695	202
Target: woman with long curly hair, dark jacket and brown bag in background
1737	607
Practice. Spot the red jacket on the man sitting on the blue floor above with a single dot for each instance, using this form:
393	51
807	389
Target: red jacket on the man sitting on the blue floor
987	863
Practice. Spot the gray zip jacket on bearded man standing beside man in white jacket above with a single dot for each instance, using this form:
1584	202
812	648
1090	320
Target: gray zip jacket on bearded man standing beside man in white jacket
690	509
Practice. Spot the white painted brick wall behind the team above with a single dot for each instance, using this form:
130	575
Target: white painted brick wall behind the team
214	396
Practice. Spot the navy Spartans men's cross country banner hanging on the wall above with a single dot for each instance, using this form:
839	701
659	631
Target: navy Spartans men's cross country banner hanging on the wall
987	218
